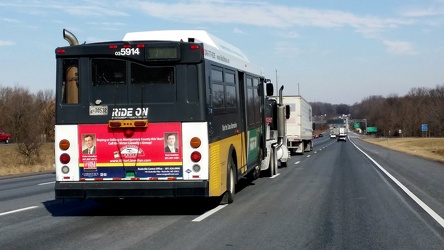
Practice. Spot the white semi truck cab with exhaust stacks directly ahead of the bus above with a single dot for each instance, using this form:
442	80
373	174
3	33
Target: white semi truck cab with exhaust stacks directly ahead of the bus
276	115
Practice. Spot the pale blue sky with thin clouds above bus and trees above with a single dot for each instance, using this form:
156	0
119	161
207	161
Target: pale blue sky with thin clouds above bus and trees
332	51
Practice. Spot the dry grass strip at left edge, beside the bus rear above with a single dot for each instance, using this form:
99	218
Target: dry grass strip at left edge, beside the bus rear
12	163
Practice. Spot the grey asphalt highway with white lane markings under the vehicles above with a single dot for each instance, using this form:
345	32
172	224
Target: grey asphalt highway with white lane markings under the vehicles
342	195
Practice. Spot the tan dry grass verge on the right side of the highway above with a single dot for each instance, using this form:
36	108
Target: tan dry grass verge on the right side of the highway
429	148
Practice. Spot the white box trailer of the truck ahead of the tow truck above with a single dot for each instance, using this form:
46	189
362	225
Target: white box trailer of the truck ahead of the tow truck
299	126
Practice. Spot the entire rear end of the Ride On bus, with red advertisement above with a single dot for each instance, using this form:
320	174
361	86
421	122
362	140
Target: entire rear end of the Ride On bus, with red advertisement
118	106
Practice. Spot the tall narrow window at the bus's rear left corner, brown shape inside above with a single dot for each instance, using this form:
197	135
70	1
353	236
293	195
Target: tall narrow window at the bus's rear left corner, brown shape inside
71	83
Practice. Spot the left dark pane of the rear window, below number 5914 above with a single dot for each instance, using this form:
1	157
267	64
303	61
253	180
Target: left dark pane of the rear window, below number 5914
108	71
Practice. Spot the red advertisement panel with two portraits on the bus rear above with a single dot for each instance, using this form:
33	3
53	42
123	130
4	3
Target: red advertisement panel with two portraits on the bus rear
111	153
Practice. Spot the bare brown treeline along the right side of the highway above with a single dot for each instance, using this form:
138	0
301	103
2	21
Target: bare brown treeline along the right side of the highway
397	115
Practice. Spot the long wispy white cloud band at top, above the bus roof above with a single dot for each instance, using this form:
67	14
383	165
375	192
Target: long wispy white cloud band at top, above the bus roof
265	14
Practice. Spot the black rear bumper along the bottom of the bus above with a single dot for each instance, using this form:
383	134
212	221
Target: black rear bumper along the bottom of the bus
131	189
